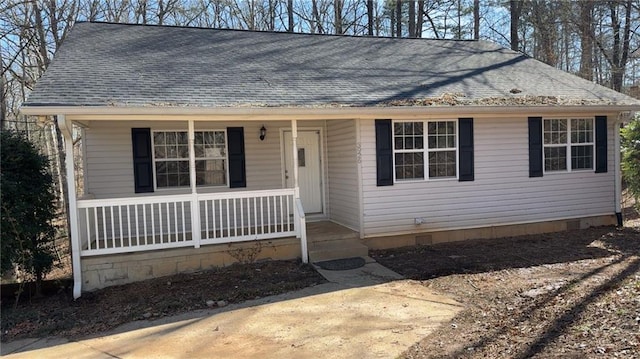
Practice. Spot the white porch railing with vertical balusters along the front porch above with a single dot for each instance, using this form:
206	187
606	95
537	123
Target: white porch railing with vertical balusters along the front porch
121	225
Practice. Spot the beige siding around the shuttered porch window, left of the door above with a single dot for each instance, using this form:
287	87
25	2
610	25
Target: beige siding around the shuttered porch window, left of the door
109	158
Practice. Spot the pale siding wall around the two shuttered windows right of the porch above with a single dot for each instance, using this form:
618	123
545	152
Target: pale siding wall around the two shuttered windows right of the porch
502	192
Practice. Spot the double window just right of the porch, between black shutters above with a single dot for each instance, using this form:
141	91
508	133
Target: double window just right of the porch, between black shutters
411	157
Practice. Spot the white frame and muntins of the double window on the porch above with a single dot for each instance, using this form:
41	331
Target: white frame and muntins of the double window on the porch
189	144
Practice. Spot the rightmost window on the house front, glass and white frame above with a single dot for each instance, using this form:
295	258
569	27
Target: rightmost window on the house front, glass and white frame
568	144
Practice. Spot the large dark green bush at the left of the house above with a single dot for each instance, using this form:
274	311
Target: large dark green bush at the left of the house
27	210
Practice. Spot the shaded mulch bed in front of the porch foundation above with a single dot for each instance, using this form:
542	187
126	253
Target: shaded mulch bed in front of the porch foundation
59	315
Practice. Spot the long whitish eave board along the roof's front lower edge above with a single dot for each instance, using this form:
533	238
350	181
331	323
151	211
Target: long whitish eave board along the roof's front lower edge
262	113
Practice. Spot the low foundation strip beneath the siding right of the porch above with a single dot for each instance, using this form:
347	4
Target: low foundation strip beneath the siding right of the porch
434	237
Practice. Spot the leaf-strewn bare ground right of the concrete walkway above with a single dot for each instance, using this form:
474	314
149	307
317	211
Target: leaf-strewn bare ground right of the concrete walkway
559	295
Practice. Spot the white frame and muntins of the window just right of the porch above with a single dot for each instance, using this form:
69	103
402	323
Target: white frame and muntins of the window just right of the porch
426	150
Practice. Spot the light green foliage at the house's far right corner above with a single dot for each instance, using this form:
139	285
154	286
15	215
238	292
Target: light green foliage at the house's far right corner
630	141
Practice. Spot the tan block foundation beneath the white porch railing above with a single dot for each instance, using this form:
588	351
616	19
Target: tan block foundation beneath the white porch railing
107	270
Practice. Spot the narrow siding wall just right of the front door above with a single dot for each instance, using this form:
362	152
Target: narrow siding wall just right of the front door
343	173
